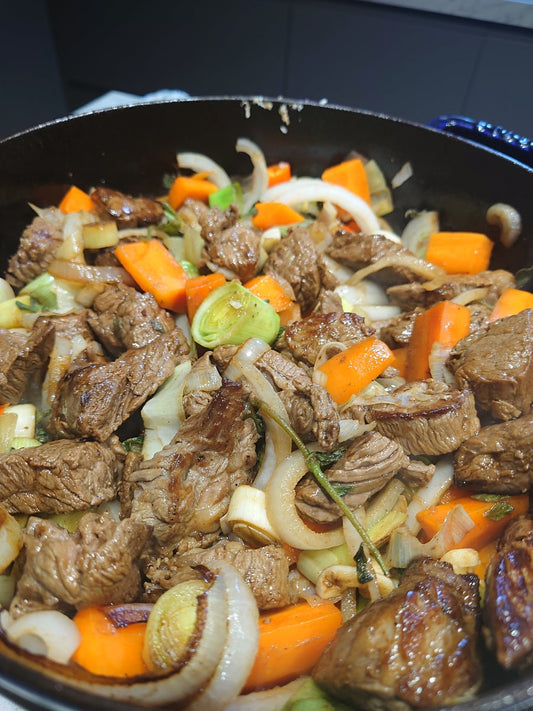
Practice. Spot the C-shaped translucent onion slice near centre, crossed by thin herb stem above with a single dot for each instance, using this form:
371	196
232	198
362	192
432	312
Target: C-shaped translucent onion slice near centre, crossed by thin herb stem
282	511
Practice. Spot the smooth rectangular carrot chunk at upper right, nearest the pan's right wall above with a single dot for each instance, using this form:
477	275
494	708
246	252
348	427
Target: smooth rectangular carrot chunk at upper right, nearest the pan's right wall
460	252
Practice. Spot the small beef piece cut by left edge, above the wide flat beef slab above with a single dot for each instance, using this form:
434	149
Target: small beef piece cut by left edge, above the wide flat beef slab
21	359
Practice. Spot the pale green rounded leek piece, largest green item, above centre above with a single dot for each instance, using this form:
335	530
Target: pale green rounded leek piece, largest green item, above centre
231	314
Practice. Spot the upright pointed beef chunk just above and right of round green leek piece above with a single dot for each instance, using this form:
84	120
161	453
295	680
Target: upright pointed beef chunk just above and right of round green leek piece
296	260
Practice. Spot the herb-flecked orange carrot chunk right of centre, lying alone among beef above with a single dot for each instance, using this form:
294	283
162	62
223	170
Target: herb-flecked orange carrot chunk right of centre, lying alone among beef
348	372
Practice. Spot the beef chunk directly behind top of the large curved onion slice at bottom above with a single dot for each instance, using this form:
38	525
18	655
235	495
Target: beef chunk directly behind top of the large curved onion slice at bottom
265	569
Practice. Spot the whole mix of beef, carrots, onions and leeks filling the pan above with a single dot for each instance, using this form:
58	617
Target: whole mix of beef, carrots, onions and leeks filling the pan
251	424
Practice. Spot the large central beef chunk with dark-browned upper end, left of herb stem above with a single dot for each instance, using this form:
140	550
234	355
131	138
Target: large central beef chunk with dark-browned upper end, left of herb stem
186	487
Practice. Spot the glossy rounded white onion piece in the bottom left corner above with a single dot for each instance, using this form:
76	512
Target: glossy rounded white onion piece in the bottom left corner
46	632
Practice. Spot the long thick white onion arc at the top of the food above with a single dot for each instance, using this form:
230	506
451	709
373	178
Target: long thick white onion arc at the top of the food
316	190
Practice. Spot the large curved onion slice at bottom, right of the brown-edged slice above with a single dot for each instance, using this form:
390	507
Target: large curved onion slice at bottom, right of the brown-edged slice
242	640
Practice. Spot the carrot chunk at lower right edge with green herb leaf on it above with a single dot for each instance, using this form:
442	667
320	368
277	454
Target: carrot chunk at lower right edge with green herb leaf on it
489	522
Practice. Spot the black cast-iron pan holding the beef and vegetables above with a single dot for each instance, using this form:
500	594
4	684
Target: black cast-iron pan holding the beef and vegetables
132	148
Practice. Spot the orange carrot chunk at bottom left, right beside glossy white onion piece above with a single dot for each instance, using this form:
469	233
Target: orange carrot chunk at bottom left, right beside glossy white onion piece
109	645
